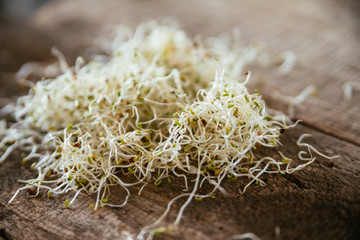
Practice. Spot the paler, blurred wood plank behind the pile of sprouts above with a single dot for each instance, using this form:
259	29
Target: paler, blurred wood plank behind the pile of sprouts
323	34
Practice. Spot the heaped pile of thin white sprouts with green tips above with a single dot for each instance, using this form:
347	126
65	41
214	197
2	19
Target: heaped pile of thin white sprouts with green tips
159	106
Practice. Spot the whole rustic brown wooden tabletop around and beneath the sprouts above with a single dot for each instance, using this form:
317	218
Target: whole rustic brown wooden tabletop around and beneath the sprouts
320	202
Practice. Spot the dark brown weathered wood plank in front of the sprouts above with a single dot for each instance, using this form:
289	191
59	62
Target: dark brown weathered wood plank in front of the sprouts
319	202
